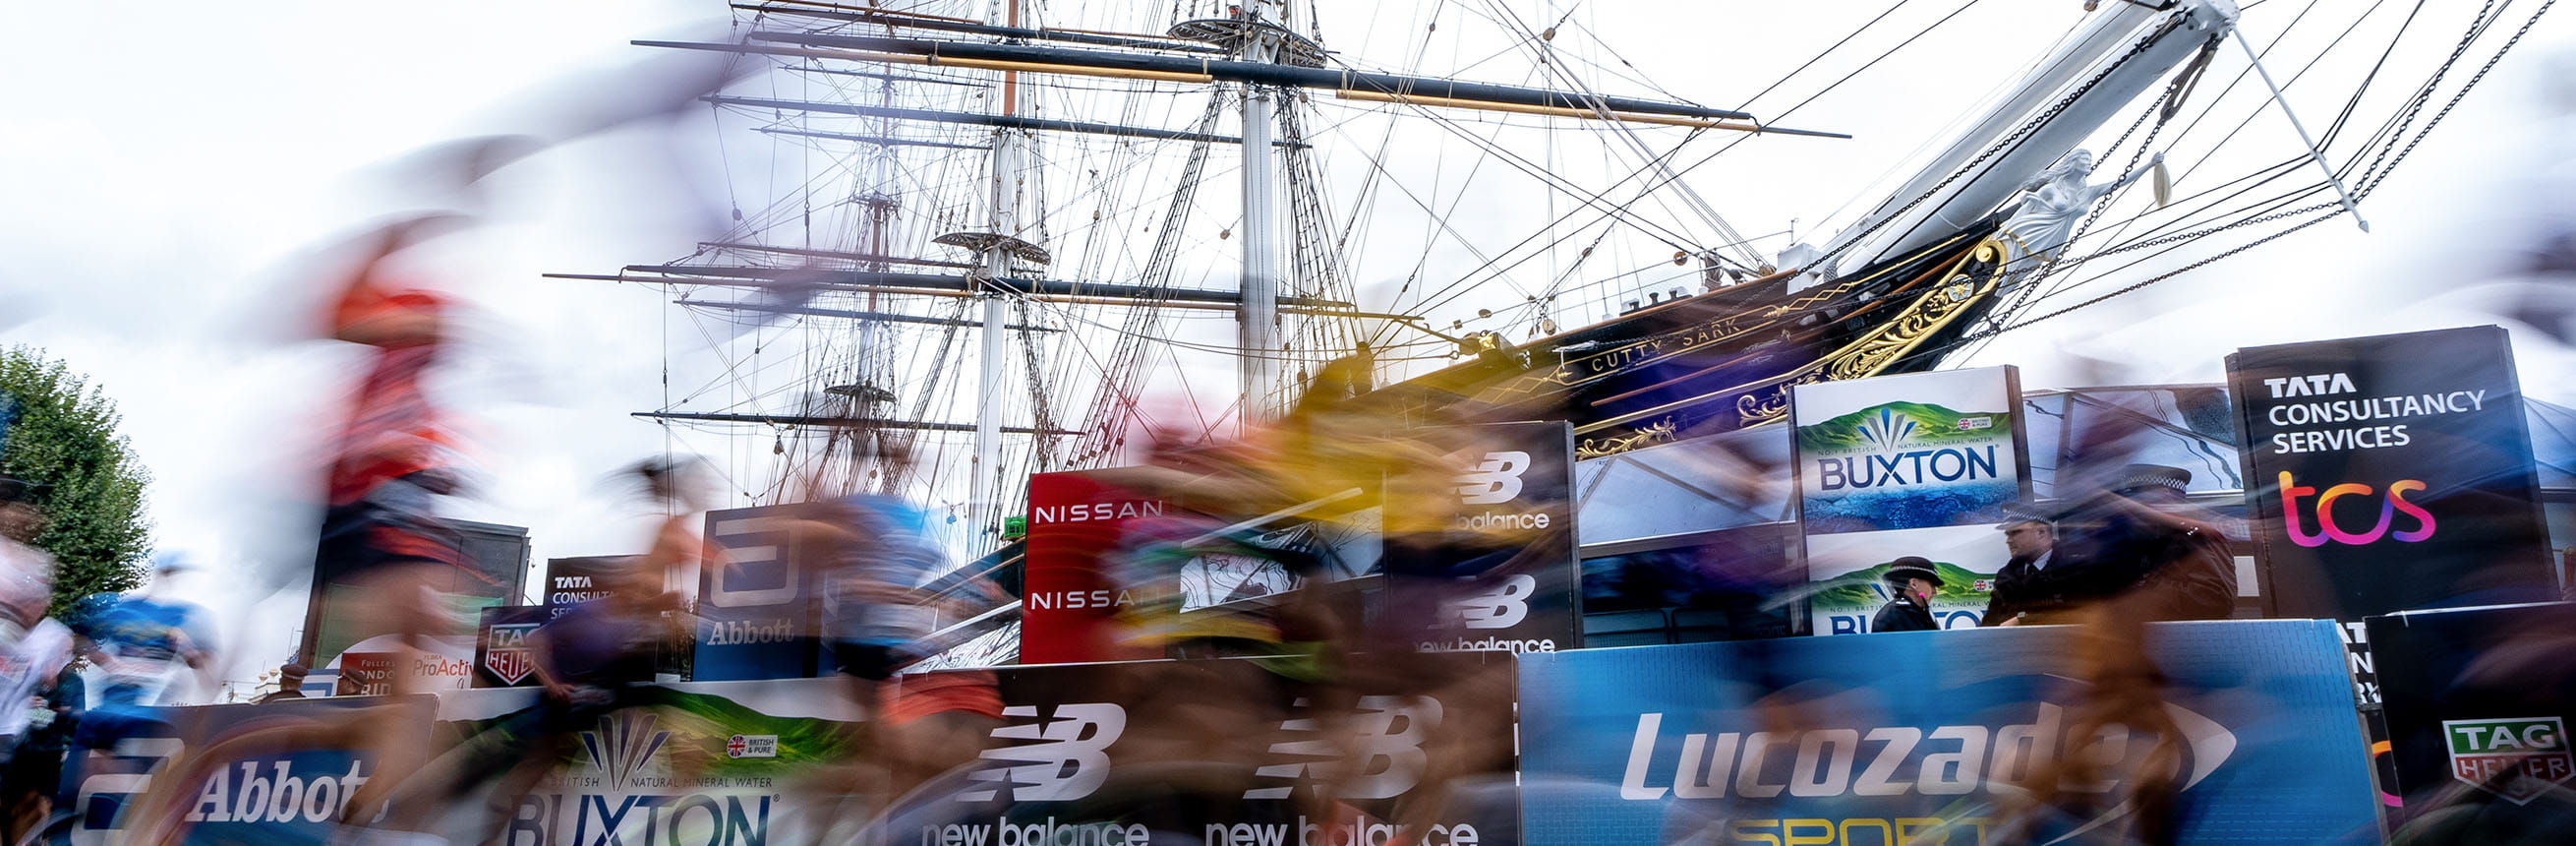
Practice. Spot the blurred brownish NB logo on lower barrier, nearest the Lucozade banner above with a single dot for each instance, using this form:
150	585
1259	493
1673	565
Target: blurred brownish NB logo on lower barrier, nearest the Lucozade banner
1387	744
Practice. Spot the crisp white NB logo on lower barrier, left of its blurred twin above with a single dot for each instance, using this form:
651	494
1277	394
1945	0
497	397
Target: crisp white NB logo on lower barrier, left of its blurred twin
1068	762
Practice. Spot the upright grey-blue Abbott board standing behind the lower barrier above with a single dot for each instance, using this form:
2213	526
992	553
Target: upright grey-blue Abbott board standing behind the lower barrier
756	605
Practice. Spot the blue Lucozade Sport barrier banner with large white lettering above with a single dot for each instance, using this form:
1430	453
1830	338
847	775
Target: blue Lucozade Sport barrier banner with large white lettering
1926	736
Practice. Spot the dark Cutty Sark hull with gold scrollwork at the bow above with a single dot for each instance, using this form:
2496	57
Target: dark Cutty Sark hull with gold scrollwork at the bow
1722	360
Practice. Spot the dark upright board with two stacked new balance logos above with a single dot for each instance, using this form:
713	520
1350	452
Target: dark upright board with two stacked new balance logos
1503	576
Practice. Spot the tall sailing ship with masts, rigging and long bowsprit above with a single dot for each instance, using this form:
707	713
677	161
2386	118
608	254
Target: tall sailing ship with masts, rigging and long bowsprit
980	241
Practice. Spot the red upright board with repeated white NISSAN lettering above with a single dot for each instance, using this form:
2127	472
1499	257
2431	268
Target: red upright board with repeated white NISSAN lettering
1068	602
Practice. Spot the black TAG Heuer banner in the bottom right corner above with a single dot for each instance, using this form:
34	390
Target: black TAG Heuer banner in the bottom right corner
2477	705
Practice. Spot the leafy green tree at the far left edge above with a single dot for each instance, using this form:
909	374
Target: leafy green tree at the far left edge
63	440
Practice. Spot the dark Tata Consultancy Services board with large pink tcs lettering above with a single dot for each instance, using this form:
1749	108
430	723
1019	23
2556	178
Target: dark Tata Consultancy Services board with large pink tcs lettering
2392	473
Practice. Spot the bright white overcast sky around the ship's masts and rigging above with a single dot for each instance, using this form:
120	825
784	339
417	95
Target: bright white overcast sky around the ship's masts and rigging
169	179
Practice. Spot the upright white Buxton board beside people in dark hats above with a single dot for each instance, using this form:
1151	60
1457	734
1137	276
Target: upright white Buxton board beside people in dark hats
1908	466
